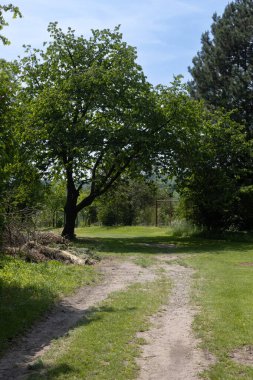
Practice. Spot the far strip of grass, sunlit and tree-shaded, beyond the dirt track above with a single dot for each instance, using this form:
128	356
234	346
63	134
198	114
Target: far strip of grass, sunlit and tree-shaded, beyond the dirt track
148	241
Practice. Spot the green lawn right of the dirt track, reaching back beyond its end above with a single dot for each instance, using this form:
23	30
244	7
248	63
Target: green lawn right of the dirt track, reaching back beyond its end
223	287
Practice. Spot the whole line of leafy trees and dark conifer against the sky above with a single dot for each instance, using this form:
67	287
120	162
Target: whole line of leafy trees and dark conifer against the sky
81	111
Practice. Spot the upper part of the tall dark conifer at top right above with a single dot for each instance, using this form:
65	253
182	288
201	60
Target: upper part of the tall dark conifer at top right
222	70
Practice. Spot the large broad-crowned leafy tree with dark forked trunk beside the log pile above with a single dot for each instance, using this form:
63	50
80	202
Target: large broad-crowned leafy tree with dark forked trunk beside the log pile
87	113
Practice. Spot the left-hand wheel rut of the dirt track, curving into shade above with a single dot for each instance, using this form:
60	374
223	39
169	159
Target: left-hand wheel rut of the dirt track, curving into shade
117	275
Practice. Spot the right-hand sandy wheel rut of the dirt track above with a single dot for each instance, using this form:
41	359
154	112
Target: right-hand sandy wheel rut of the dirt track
171	352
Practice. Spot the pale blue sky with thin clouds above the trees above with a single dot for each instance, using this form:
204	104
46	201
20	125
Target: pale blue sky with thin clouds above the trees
166	33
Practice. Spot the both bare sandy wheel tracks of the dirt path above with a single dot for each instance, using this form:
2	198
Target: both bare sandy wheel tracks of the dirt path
171	351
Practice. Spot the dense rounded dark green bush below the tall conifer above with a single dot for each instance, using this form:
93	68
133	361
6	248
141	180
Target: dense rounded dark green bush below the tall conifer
211	185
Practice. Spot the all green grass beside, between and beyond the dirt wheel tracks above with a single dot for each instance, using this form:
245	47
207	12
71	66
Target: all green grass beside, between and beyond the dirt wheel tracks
223	290
